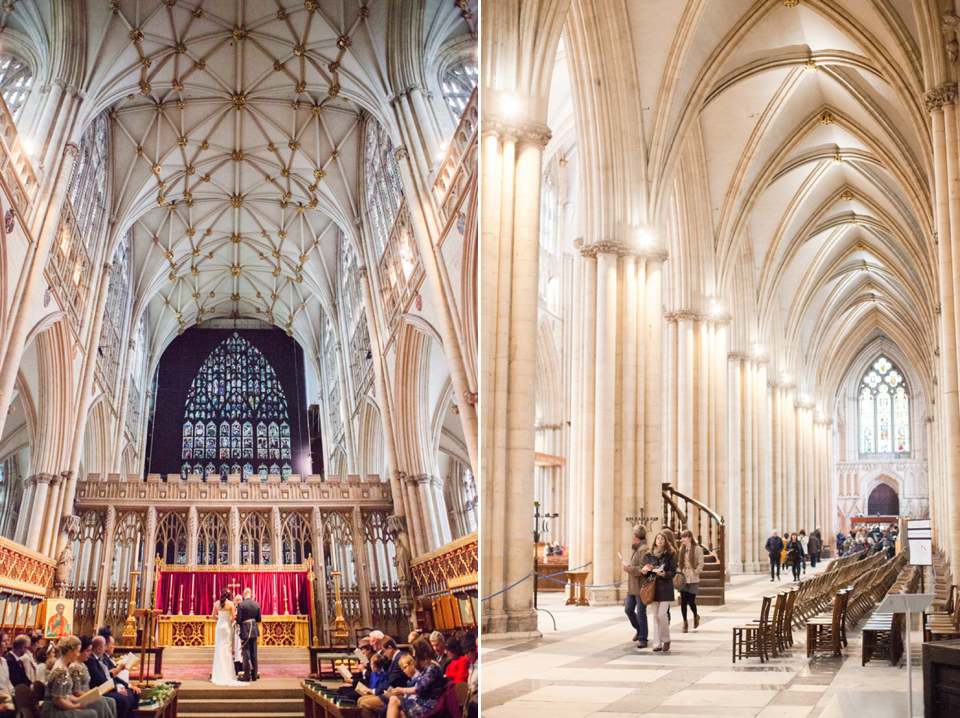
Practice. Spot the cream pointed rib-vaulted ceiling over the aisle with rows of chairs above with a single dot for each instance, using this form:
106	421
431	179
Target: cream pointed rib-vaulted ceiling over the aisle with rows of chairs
788	145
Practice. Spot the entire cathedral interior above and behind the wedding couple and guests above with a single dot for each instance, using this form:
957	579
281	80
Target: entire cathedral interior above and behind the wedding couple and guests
238	313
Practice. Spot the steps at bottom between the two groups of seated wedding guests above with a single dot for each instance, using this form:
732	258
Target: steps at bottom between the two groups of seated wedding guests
255	701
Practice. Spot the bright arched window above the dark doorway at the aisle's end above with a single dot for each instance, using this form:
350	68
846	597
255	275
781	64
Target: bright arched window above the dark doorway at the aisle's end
884	402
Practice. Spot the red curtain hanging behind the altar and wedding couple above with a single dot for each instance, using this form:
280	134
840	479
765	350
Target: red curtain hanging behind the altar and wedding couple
202	588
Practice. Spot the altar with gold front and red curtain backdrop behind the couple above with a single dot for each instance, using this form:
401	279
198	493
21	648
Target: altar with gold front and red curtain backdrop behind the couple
186	593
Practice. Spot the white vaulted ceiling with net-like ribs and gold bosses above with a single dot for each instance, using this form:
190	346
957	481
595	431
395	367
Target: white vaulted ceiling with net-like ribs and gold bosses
236	140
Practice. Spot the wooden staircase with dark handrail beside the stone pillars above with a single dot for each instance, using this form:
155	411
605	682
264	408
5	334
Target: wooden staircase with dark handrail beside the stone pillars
683	512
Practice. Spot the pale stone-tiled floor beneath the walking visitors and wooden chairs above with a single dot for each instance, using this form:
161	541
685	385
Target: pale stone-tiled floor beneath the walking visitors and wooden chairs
588	668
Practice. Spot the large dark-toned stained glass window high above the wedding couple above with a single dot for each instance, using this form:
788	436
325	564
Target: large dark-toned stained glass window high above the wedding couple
236	411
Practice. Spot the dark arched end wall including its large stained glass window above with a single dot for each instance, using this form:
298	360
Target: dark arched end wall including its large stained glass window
230	402
